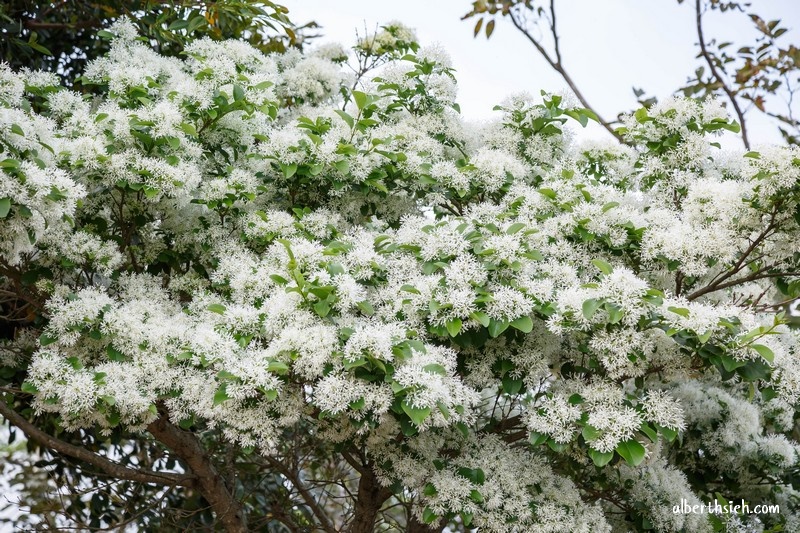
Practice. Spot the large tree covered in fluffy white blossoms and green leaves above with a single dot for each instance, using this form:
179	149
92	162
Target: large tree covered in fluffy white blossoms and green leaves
272	293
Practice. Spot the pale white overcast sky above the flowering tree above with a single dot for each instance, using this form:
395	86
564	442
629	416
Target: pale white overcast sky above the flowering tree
607	46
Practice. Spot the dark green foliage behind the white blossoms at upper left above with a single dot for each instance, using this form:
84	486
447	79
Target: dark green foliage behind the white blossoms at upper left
63	36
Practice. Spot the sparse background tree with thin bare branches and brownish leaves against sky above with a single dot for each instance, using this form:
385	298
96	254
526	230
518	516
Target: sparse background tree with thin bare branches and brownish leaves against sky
763	75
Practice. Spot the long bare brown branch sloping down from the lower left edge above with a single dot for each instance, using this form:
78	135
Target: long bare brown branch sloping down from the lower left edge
109	467
